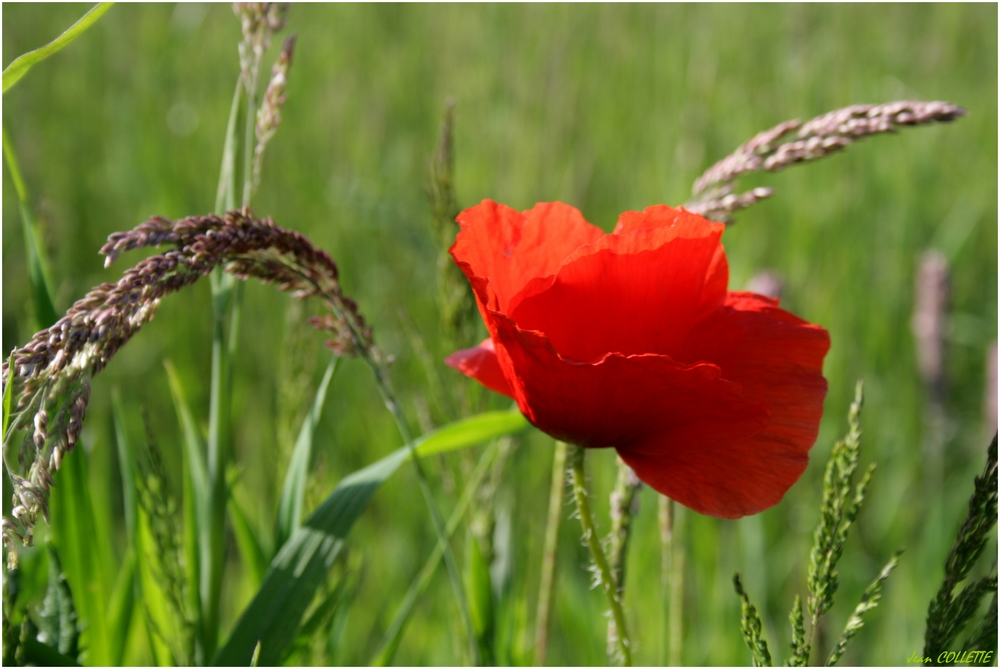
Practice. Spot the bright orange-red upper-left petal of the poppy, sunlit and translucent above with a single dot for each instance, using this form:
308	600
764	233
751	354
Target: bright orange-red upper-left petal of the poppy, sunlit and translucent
505	249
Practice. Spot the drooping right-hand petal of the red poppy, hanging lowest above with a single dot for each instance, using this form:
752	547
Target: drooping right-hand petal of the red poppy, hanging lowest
777	358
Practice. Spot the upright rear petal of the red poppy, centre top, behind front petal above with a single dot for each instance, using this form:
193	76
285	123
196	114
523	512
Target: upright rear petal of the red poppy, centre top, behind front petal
637	291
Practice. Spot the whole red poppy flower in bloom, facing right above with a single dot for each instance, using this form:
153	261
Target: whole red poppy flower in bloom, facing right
632	341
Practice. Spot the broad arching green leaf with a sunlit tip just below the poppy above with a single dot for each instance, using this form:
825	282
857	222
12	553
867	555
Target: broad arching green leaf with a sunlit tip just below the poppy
304	561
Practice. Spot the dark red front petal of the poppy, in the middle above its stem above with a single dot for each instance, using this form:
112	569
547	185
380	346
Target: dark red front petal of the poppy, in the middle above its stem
623	400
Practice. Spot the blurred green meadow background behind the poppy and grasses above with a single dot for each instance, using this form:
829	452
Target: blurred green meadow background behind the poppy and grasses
608	108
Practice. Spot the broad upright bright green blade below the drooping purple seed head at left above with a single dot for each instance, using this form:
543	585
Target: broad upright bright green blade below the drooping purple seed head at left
86	555
